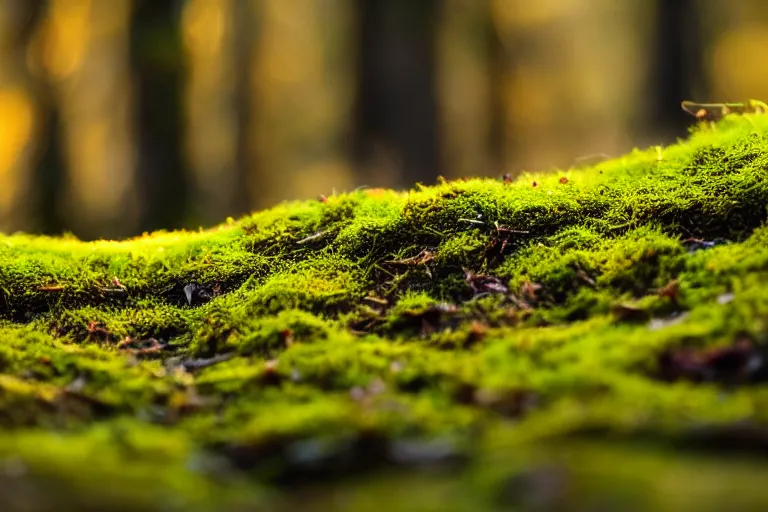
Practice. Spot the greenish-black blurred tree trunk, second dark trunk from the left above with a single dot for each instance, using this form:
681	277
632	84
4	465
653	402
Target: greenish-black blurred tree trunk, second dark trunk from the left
157	63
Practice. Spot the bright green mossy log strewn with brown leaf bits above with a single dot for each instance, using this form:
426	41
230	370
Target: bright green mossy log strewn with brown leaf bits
589	339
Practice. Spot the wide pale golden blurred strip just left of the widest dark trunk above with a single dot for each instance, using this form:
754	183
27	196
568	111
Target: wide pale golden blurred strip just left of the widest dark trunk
300	80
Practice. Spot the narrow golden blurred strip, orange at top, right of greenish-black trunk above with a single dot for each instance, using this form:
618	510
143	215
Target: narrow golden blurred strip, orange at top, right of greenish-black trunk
218	38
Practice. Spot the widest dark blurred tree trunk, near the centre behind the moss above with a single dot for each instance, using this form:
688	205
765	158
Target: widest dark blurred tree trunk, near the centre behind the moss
396	111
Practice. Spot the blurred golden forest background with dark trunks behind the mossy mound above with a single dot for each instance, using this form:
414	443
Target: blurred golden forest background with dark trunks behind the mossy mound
120	116
